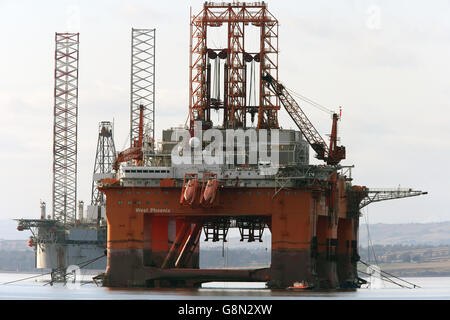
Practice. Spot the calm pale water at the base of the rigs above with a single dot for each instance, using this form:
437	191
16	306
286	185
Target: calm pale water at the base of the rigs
431	289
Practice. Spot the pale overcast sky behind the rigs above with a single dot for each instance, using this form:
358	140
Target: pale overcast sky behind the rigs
385	62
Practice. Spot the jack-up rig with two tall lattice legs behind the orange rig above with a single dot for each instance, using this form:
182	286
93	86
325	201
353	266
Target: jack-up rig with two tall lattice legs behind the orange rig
67	236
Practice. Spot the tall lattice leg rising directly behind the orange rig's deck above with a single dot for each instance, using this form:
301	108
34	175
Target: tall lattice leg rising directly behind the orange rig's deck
142	81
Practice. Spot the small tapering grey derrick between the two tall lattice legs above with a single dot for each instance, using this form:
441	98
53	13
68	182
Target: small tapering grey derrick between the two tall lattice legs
104	160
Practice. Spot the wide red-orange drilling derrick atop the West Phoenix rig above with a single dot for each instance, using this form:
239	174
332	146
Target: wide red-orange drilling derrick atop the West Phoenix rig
236	17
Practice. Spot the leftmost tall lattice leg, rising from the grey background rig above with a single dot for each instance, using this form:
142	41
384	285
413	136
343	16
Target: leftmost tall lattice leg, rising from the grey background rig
65	127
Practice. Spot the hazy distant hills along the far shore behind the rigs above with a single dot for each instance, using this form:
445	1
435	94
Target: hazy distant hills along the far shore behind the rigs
402	249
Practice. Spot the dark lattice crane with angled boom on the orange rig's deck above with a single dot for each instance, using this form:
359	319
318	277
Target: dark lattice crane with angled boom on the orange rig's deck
331	155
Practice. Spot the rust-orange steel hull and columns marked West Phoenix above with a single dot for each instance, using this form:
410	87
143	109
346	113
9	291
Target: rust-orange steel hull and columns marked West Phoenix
150	232
